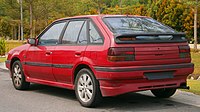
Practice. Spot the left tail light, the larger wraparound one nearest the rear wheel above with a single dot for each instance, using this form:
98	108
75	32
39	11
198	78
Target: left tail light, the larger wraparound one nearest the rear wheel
121	54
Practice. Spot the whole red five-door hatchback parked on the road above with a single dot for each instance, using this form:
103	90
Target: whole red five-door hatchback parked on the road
104	55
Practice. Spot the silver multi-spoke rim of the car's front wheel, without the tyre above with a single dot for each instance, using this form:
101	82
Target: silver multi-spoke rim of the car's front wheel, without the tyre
17	75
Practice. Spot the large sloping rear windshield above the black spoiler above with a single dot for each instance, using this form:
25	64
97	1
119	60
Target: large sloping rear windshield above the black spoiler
136	25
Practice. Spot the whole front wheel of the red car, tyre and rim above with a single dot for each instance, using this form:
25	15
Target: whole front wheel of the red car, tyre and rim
18	77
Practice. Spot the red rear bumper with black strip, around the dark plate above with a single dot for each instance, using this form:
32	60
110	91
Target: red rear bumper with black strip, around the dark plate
120	80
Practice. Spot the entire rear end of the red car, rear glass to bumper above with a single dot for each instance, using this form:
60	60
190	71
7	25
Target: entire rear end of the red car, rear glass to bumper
143	55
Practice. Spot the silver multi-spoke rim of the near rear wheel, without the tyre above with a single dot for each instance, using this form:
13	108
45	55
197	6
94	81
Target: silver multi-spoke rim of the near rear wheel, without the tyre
85	87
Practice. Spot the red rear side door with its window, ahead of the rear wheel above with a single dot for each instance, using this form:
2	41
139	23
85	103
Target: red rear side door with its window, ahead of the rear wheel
71	50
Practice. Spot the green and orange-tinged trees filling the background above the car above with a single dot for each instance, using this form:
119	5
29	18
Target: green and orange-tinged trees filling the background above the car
178	14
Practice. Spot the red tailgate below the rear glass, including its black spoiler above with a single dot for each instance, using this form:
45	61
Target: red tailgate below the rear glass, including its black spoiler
155	49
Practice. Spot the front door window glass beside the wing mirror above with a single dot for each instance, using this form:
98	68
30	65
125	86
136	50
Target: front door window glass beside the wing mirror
51	36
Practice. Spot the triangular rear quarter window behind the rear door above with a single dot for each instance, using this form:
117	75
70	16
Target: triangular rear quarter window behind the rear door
95	37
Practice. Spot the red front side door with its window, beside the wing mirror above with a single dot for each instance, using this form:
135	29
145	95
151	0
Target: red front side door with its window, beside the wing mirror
38	63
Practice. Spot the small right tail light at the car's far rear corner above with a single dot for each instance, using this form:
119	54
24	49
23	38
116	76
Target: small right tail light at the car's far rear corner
184	51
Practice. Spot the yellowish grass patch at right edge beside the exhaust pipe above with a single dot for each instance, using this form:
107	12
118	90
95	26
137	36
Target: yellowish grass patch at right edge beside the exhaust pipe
194	86
